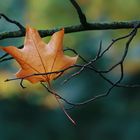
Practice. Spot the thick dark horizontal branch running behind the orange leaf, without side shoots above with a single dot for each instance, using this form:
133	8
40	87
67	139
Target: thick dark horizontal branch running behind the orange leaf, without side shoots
76	28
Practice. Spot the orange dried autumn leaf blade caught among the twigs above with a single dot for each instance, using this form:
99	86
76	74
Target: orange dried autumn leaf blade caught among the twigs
38	57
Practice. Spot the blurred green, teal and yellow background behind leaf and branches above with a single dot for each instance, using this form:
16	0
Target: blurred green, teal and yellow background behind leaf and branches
33	114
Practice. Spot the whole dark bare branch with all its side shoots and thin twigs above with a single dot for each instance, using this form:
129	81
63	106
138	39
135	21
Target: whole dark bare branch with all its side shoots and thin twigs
83	26
